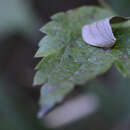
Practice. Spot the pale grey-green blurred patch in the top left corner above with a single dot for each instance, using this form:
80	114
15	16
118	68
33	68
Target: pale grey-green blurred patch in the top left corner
16	15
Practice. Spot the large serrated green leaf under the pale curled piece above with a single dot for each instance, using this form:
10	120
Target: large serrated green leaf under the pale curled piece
68	59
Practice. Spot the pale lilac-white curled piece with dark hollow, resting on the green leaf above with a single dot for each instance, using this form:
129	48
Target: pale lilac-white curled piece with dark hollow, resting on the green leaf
100	33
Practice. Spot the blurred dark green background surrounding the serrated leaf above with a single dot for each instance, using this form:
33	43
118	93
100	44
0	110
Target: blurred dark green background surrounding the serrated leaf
20	21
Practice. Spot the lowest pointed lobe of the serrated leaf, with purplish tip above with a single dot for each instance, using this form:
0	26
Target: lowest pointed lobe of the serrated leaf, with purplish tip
51	95
